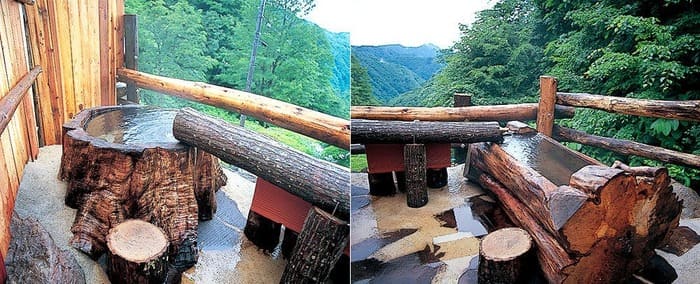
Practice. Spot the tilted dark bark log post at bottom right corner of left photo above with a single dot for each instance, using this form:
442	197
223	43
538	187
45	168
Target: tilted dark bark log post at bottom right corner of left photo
318	248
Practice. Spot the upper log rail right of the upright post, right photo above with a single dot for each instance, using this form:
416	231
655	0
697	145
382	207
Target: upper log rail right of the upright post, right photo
682	110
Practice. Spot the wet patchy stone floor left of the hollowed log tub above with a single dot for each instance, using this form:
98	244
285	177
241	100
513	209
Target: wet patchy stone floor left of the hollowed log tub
437	243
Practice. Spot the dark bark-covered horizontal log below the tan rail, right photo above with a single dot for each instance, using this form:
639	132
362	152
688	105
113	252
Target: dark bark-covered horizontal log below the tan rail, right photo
390	132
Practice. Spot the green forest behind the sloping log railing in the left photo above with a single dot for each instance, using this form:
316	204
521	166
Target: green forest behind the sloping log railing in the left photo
211	41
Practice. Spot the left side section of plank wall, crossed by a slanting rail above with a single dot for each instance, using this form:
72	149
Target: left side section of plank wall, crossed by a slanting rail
19	141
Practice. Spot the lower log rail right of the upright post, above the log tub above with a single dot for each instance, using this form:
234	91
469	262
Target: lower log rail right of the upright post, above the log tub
626	147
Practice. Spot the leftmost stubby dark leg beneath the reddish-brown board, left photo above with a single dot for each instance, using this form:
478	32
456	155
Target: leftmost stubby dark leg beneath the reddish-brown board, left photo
263	232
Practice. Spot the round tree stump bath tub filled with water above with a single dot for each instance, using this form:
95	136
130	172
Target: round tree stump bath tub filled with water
122	162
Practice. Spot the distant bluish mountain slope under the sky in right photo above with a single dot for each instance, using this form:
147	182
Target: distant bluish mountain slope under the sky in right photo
396	69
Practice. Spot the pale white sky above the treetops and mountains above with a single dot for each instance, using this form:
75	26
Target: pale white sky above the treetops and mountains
407	22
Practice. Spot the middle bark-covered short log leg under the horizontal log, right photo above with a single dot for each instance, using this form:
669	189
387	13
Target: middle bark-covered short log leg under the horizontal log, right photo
415	168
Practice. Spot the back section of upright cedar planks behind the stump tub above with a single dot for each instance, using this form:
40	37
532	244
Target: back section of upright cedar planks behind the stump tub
79	45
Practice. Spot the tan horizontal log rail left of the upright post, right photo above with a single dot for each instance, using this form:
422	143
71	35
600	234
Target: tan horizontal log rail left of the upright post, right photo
521	112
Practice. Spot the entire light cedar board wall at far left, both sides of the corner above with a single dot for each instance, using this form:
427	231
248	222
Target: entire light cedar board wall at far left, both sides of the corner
75	44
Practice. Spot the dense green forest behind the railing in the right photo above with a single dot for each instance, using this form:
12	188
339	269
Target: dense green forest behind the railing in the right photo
637	49
